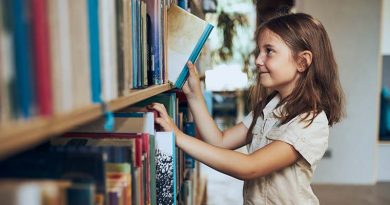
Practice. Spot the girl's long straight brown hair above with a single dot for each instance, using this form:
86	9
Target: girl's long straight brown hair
318	87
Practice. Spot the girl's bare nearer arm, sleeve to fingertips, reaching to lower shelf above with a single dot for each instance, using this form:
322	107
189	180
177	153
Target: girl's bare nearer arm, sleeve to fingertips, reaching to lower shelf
273	157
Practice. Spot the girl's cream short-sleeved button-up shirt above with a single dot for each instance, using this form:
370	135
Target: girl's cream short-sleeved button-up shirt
291	185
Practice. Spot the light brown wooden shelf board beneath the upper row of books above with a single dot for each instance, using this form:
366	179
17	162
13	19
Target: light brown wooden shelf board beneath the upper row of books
18	136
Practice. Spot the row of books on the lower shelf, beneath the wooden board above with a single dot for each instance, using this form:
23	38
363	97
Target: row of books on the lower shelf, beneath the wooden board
133	164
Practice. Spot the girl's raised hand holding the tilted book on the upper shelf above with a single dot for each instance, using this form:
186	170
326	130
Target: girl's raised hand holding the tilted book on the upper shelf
191	87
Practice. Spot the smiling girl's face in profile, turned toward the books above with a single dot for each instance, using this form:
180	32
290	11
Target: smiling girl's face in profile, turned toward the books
275	63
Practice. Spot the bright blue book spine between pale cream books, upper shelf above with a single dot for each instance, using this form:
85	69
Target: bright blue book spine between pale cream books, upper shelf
94	48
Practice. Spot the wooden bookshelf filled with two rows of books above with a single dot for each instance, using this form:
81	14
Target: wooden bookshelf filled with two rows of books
81	81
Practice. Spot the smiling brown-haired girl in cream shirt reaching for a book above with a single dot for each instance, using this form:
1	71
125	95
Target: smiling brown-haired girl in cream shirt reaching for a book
297	97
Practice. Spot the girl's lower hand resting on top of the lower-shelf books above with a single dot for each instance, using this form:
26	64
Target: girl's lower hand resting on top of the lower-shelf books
164	120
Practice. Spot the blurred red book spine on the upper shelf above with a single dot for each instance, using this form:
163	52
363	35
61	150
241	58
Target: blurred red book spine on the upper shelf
41	54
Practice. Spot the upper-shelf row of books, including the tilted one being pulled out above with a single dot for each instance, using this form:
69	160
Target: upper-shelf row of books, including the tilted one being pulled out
60	55
